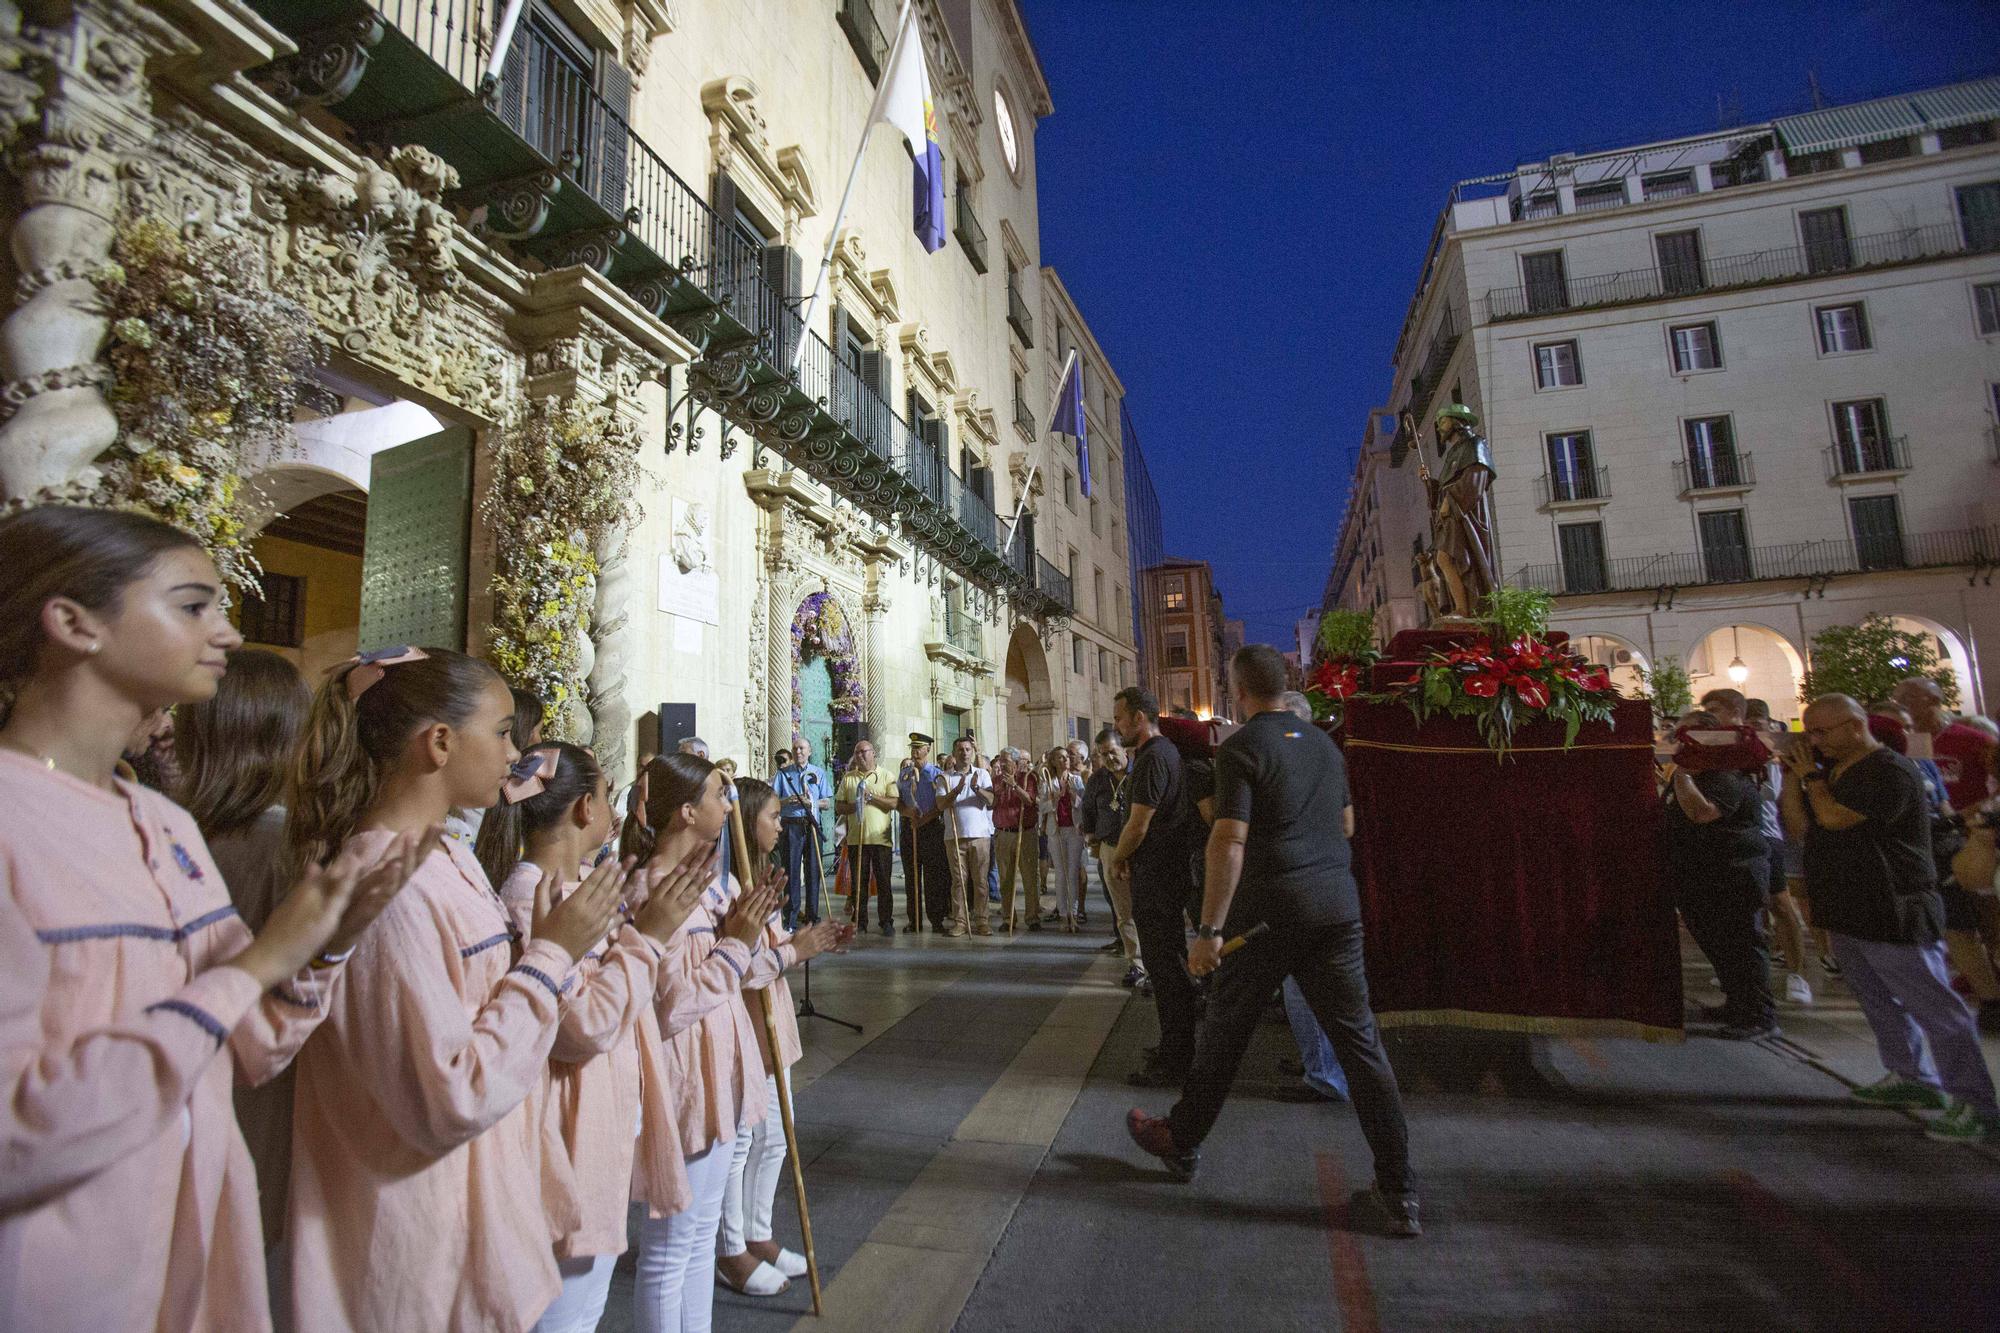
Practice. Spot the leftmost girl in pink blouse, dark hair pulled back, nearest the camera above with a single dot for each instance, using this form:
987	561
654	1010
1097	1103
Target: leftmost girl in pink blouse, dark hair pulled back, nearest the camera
129	1198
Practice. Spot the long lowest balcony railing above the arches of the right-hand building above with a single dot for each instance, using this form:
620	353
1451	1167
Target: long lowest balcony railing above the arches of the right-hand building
1979	547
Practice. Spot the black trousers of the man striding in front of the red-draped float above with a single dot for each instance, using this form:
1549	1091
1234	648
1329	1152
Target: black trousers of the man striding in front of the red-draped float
1327	964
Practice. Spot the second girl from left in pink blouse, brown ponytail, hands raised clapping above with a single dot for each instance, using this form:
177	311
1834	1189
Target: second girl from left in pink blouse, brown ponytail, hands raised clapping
417	1158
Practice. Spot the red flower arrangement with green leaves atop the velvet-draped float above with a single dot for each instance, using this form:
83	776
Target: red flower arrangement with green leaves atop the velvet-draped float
1507	686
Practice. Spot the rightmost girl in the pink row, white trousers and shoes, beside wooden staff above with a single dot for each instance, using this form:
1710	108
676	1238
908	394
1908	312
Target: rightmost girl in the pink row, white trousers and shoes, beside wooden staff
751	1262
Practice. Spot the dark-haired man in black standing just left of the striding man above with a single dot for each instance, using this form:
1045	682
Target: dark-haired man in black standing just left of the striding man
1153	858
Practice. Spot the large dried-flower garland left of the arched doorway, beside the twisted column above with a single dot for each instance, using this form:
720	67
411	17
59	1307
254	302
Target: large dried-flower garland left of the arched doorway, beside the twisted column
205	367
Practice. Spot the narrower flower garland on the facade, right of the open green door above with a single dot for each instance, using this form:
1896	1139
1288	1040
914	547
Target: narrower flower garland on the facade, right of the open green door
565	475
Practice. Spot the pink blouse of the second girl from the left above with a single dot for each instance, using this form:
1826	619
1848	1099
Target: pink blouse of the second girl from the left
417	1162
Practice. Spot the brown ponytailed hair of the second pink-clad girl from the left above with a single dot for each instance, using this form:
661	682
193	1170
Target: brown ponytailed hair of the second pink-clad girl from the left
357	736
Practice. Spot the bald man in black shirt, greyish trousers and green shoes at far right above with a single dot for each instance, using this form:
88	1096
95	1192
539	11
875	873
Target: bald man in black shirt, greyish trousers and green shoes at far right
1875	890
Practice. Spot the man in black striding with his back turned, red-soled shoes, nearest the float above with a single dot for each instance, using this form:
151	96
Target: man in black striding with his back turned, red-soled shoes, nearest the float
1279	858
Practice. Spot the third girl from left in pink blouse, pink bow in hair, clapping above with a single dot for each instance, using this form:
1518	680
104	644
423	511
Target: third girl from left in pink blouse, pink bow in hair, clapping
609	1124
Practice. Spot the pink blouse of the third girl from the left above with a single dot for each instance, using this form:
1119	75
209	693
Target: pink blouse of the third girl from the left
609	1130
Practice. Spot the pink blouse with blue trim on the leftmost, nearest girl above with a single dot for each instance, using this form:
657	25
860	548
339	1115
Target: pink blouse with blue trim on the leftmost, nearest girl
127	1196
